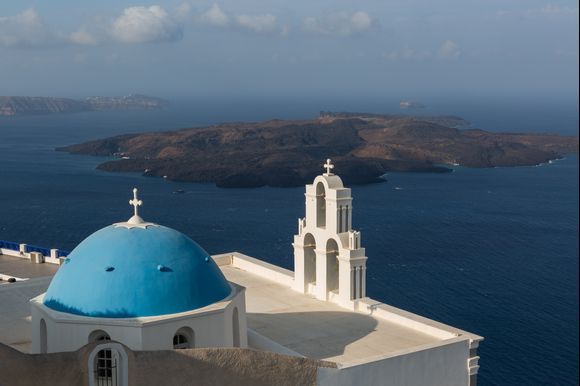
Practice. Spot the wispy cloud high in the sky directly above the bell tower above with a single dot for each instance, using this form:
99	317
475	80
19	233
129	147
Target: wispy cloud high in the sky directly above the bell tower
340	24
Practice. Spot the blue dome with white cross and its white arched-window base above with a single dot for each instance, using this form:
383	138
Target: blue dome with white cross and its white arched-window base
142	284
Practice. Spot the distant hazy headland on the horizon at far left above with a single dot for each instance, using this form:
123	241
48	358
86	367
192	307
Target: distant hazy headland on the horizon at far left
25	105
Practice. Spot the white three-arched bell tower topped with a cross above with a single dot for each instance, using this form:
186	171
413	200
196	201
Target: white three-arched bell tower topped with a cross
328	259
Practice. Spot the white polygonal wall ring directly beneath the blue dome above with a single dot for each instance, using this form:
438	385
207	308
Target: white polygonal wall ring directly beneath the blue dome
211	327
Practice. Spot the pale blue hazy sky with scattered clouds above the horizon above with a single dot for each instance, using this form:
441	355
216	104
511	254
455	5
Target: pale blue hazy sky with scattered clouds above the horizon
367	48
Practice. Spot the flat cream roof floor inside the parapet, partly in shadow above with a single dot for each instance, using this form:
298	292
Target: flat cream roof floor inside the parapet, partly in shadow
319	329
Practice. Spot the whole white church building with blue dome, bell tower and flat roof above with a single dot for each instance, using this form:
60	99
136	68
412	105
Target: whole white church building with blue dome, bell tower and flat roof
152	288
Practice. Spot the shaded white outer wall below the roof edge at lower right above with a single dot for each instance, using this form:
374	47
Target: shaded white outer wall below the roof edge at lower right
445	364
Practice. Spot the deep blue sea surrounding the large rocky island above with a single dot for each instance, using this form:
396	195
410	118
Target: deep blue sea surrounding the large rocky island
491	251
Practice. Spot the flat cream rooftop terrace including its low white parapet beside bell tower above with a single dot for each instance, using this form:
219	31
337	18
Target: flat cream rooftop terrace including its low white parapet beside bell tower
324	330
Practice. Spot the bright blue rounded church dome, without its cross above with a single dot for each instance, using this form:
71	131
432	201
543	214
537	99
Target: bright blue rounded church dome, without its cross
121	272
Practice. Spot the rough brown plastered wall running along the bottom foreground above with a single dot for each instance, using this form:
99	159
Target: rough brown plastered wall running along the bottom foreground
212	366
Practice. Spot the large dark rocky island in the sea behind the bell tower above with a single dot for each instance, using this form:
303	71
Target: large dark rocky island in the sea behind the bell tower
289	153
